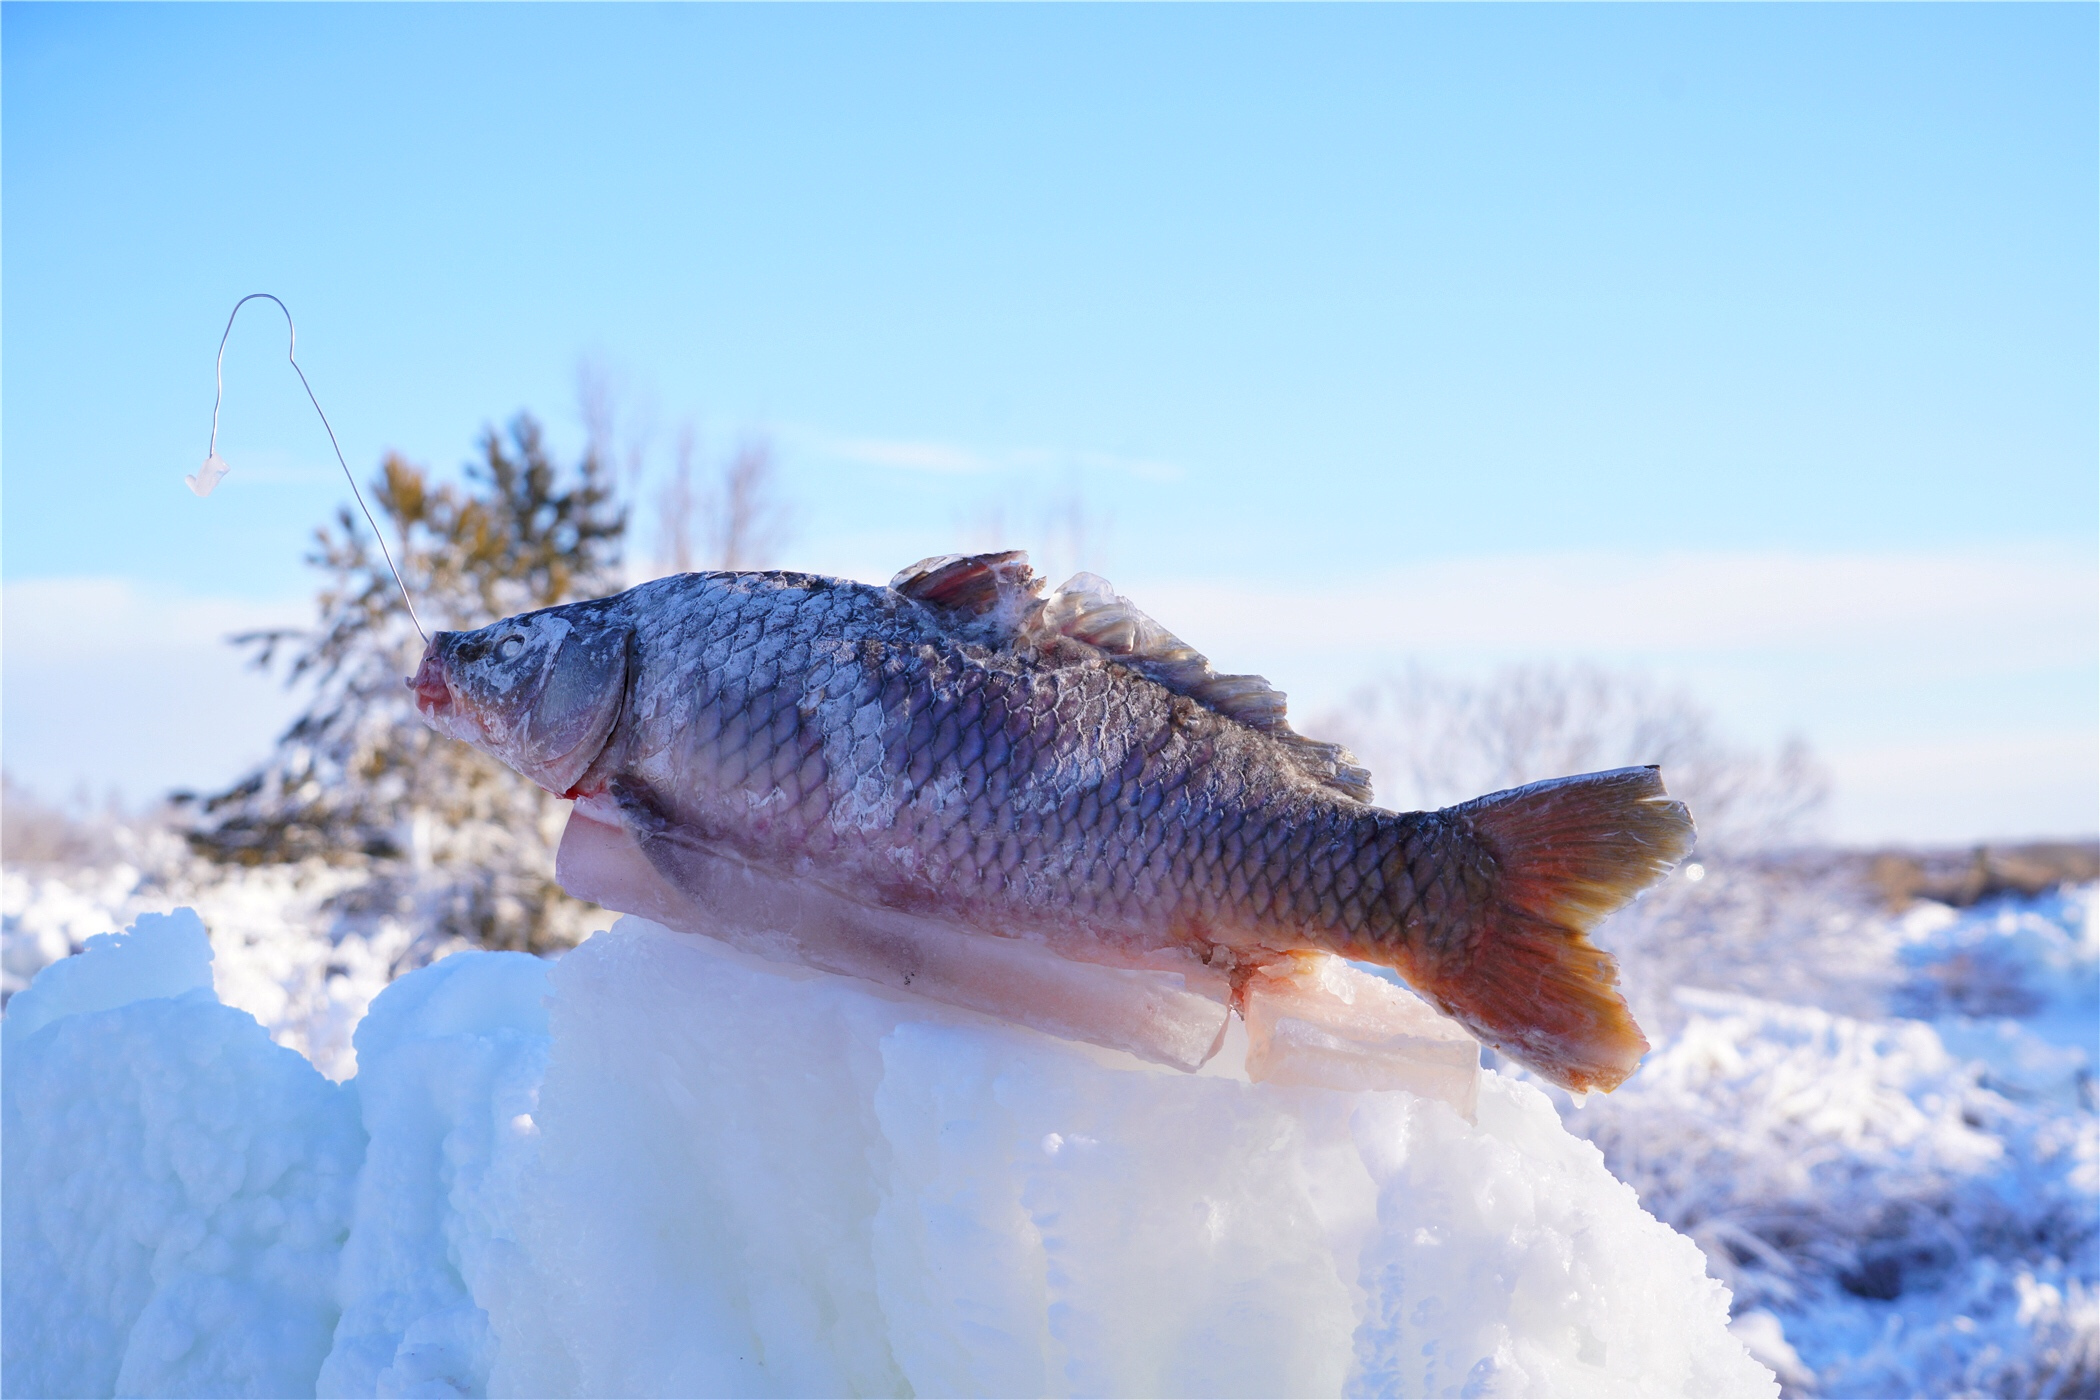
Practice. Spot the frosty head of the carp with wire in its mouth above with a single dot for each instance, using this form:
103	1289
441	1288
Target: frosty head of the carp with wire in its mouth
539	692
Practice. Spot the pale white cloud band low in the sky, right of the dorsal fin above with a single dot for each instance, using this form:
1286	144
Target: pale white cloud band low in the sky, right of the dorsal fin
1941	685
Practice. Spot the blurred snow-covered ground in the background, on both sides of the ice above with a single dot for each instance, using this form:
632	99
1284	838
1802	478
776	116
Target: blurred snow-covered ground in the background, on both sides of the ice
1878	1128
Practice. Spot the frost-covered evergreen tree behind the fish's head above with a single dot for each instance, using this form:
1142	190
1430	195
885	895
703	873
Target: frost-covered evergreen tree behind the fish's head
455	843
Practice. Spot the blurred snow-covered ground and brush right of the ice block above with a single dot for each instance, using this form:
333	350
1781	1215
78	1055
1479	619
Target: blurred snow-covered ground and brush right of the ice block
1902	1204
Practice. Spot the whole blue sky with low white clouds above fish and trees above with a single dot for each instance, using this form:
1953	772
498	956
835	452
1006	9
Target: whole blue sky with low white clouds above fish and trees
1746	345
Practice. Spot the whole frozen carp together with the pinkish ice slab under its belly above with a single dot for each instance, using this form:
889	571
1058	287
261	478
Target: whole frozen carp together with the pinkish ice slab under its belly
1047	807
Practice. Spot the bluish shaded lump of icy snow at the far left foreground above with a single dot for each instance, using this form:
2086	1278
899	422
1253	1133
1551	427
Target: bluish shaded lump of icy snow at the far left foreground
177	1187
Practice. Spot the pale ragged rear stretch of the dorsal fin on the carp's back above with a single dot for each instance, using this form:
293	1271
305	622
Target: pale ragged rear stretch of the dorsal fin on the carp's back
1091	612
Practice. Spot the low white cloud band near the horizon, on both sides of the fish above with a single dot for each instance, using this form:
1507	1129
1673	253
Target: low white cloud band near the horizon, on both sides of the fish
1878	656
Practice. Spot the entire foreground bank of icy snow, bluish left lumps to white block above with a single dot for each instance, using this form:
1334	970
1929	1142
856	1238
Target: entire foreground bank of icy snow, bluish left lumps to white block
663	1168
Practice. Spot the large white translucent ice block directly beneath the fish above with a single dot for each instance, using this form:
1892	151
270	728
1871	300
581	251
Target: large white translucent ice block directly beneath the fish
757	1181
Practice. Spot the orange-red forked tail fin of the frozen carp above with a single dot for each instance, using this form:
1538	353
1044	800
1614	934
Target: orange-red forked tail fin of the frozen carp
1524	975
